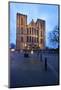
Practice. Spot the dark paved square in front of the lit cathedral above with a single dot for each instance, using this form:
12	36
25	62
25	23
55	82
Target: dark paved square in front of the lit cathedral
31	71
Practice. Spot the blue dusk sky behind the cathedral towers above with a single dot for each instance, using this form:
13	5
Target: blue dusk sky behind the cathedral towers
49	13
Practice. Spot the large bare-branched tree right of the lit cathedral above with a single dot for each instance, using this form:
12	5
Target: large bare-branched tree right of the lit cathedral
54	36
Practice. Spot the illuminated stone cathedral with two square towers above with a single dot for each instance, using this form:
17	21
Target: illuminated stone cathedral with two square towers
29	36
